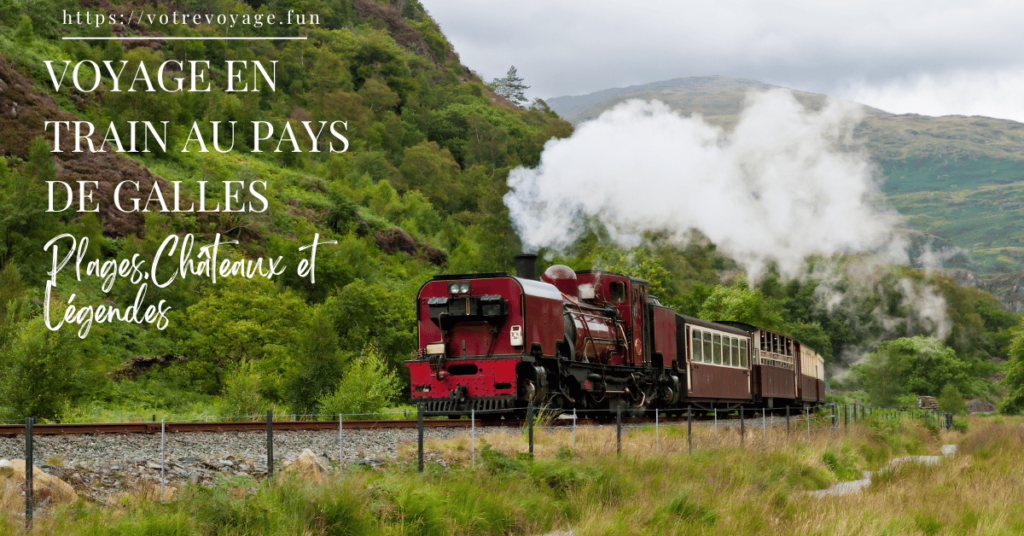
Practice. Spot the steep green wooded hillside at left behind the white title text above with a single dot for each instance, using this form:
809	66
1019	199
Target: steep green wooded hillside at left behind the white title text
418	192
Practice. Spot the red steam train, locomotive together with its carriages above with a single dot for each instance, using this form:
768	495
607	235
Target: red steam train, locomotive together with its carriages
592	341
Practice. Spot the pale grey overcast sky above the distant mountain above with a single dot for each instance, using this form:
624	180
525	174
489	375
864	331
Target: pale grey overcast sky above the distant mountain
933	58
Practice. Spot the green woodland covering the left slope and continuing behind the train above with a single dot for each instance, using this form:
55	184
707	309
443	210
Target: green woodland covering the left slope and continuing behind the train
418	192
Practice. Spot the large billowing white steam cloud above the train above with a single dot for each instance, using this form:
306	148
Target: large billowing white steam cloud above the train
784	185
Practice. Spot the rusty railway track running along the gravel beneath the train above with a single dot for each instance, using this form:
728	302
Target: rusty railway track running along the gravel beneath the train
286	426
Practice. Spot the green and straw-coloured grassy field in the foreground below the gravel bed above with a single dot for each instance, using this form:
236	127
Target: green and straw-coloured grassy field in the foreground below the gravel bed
722	487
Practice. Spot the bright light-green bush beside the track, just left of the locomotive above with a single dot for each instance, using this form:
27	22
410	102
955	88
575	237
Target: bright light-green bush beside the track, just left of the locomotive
368	387
